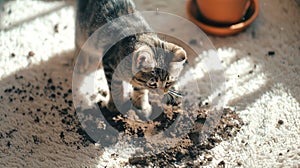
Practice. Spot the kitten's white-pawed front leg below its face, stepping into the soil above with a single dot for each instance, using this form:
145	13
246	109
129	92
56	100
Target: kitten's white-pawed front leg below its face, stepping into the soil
141	101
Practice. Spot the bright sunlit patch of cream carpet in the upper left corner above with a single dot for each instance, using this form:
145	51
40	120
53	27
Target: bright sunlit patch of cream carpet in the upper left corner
27	44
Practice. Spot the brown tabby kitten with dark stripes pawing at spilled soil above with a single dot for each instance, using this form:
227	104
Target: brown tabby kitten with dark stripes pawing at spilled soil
145	61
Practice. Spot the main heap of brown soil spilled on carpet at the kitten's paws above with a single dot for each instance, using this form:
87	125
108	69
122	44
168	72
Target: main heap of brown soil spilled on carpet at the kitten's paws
185	147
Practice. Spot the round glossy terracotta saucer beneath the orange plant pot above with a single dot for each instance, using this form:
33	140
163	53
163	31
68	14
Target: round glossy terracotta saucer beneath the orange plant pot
224	30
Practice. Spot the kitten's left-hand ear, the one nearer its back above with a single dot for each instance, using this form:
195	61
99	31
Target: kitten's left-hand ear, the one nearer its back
143	59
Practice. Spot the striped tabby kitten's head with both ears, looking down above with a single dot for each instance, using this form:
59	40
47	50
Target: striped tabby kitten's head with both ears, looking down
157	66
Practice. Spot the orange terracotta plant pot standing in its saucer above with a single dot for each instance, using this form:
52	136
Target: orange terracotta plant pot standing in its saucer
223	11
